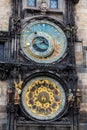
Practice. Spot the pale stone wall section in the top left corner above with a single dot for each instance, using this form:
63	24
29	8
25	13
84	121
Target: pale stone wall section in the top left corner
5	12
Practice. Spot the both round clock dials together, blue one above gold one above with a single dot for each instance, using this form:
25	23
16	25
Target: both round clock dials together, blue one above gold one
44	95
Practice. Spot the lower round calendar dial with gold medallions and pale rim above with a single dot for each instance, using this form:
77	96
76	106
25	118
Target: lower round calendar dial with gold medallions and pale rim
43	98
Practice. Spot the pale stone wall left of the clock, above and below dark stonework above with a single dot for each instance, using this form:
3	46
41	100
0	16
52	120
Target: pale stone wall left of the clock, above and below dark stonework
5	13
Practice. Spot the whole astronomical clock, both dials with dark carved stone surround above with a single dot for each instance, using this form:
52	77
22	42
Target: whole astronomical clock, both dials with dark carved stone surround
42	75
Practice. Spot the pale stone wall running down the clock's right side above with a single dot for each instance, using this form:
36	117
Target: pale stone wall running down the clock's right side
81	51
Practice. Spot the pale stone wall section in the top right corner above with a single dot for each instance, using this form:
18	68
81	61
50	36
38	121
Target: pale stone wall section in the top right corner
81	19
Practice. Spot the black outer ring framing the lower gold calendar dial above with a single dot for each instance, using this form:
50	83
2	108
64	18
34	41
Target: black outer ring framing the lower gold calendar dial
57	78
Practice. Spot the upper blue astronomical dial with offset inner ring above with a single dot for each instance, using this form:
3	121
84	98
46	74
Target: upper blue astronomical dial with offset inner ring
43	41
